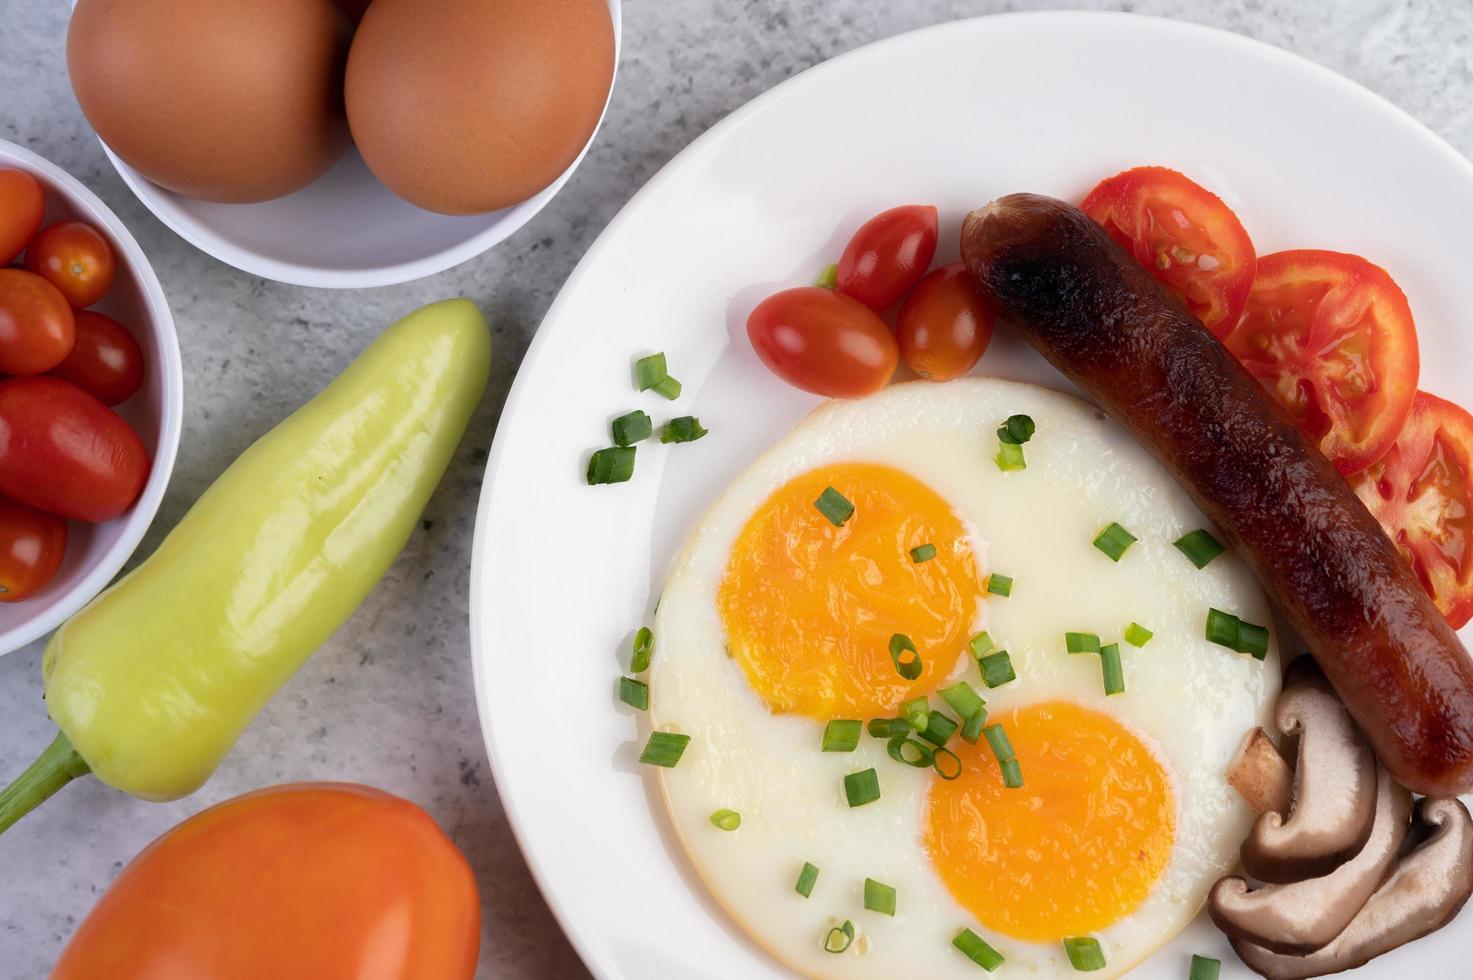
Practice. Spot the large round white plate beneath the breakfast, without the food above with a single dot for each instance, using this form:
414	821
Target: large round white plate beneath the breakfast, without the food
952	116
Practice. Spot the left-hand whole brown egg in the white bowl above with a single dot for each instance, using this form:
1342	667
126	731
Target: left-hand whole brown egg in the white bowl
219	99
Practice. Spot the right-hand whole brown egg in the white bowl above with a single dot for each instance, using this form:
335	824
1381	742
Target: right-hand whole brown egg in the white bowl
466	107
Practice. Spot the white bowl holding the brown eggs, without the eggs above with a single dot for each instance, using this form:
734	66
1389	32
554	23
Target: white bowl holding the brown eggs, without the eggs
345	231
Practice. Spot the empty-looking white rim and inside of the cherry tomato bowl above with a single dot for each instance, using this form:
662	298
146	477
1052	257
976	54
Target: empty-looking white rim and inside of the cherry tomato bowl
95	553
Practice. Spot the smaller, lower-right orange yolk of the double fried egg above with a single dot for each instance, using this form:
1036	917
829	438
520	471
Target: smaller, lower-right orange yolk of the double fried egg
1076	848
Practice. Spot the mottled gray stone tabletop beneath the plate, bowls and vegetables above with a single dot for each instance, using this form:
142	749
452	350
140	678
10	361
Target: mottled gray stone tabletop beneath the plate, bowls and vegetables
390	701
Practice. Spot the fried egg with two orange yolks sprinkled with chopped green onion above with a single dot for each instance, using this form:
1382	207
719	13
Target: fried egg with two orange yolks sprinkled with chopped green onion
778	618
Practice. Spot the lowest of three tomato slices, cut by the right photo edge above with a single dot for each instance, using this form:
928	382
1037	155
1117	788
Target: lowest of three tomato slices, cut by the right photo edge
1422	494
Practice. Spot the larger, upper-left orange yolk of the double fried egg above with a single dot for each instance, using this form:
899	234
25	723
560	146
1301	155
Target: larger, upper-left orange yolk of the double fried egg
809	608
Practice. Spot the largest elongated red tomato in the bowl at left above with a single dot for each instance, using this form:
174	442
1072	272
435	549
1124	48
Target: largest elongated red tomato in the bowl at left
67	453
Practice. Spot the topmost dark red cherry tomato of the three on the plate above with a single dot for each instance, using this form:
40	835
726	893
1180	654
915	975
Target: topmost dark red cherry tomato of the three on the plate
889	256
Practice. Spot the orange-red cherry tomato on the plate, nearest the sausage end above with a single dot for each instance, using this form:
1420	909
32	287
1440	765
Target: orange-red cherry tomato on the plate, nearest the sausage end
943	326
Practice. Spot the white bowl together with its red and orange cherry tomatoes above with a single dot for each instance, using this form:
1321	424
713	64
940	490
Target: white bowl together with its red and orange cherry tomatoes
91	396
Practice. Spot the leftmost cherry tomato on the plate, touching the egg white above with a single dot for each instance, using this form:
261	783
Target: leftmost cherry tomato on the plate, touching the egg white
824	343
